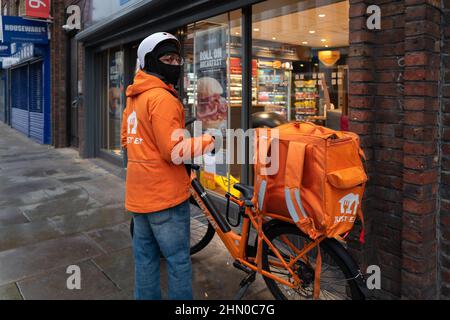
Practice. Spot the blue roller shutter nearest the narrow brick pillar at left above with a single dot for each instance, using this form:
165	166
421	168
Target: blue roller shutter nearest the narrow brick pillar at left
36	103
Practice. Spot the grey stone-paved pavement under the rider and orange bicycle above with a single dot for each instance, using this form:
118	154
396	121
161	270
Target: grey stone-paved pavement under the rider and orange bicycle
58	210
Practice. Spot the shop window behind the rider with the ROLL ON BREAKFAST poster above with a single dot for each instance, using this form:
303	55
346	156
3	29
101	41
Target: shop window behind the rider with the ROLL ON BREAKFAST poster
212	89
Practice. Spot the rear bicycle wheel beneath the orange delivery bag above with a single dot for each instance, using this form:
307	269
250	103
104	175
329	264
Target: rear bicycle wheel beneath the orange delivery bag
339	272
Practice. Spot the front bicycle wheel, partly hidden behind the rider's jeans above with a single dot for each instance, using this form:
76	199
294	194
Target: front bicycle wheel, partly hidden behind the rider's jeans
202	231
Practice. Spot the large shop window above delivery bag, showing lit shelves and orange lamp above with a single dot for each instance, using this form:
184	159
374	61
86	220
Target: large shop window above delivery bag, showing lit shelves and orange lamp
301	48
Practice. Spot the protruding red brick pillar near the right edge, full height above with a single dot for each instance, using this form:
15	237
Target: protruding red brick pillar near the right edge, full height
420	160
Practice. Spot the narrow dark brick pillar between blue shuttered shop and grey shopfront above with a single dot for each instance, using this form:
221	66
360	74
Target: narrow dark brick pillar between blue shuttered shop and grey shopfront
58	75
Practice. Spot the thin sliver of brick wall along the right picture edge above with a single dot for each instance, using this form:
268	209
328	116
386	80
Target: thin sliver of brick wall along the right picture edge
444	273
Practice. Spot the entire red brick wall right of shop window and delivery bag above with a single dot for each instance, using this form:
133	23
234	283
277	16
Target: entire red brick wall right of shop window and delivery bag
395	108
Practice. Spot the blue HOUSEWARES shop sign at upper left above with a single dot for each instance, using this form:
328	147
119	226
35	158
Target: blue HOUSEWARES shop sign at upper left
17	29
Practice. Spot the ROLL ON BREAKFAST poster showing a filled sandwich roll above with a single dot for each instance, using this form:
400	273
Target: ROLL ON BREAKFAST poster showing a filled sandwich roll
211	74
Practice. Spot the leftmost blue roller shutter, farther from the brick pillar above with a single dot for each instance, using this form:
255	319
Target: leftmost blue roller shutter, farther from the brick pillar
19	100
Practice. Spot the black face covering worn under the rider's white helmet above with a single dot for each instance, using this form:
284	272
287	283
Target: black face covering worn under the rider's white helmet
170	73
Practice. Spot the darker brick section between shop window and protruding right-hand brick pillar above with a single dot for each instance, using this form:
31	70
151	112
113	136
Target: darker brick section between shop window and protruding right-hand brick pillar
376	96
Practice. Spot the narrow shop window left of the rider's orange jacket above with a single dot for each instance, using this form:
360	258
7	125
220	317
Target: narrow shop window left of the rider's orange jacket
113	102
